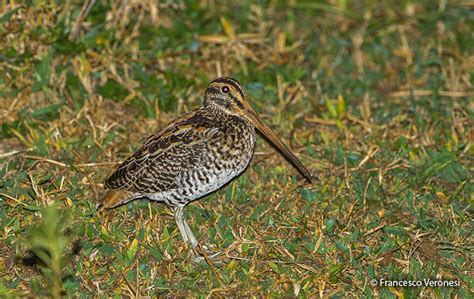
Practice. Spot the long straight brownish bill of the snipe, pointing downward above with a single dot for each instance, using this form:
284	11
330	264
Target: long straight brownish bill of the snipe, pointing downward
253	117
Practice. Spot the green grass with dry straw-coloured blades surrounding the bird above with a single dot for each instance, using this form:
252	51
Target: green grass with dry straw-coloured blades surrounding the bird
376	99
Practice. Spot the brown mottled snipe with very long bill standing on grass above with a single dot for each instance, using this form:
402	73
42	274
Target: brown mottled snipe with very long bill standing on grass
195	155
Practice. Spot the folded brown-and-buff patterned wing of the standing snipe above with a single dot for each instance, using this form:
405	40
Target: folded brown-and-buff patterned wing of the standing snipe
157	164
